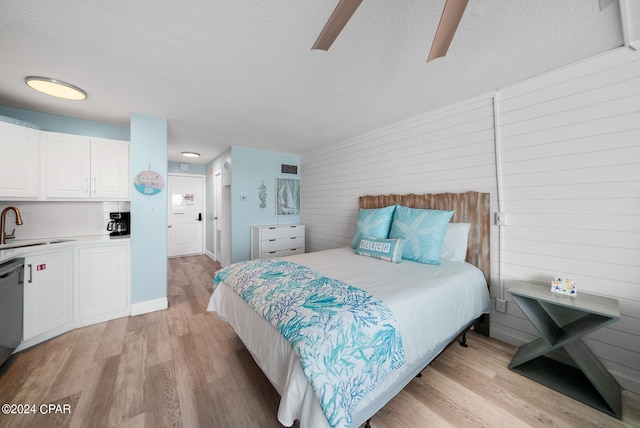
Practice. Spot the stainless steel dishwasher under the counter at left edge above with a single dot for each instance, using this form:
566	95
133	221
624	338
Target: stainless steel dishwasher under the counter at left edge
11	300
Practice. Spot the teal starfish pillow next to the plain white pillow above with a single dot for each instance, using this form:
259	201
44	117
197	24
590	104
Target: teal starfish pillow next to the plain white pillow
423	231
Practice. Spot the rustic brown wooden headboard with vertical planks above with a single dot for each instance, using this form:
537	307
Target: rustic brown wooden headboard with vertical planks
469	207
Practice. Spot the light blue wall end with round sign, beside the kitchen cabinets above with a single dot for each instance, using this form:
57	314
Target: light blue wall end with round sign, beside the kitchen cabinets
149	213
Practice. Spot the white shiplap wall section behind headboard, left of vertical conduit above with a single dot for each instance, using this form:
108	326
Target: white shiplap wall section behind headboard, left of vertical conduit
447	150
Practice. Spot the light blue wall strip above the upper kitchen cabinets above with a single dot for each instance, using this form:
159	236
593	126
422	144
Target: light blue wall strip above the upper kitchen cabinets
67	125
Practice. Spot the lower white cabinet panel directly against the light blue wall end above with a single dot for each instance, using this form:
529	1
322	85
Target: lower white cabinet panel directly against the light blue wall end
103	282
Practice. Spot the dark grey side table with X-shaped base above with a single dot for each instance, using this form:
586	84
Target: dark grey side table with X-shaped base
560	359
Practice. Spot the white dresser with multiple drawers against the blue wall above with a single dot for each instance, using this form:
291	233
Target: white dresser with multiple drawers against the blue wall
276	240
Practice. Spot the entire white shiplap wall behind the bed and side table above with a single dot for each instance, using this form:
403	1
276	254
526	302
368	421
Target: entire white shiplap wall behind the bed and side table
570	161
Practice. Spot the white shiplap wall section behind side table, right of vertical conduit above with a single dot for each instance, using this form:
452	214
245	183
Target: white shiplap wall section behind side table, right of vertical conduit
570	156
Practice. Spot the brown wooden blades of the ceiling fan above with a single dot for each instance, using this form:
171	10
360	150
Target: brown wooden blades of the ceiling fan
451	16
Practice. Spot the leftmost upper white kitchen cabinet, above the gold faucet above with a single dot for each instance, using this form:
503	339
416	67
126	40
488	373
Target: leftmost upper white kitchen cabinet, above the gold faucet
19	162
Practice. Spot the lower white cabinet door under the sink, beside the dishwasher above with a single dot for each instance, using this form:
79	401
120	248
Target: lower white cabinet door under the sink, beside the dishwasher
48	294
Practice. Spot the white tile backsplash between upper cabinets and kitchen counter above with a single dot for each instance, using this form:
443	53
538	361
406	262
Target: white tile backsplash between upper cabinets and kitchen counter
61	219
